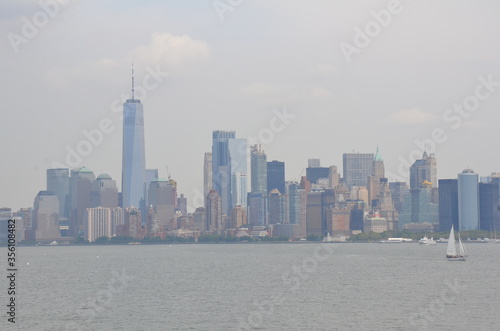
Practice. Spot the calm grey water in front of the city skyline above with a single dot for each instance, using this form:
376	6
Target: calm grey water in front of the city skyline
231	286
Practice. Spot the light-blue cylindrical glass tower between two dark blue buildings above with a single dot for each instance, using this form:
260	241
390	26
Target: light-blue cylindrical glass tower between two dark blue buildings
468	200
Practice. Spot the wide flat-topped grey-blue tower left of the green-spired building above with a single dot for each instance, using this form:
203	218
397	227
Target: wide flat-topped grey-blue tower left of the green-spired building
357	167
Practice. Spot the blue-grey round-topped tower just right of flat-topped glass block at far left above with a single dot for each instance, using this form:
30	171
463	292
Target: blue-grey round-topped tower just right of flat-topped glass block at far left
80	191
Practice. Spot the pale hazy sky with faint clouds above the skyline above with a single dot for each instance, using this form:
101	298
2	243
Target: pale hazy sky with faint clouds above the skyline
396	86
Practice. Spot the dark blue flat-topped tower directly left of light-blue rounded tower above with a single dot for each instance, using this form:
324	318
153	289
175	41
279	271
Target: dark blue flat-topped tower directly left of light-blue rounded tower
448	204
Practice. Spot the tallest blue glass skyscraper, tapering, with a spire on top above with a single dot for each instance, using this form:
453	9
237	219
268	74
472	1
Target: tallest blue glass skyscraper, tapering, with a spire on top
133	155
